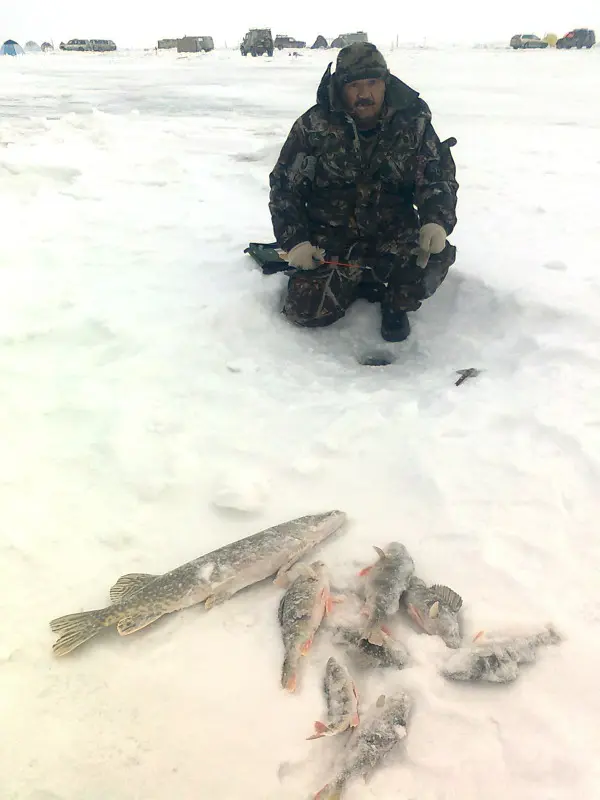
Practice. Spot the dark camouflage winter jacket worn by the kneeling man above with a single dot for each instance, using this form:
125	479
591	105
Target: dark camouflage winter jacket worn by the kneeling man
323	190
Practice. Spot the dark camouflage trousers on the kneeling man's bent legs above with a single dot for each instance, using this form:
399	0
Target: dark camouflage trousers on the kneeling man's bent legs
319	297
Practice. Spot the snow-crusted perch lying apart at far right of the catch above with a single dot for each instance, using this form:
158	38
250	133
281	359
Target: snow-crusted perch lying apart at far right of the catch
497	660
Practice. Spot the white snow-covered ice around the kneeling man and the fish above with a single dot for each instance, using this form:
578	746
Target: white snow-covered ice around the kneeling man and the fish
149	382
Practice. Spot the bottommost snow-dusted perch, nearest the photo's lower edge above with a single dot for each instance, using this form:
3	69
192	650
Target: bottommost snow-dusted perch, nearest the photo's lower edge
368	744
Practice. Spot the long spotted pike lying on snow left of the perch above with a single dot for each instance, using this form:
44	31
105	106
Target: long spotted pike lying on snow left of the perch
140	599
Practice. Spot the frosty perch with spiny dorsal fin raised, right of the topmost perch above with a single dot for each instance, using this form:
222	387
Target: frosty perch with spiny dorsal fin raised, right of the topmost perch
434	609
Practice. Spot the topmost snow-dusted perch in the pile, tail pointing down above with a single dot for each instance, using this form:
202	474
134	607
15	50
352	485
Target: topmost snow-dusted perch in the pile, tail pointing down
386	580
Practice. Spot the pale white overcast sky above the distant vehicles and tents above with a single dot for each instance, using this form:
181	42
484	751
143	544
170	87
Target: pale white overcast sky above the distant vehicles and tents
133	23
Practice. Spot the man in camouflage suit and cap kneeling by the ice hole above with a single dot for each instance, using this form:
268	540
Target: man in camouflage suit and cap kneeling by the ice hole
363	181
